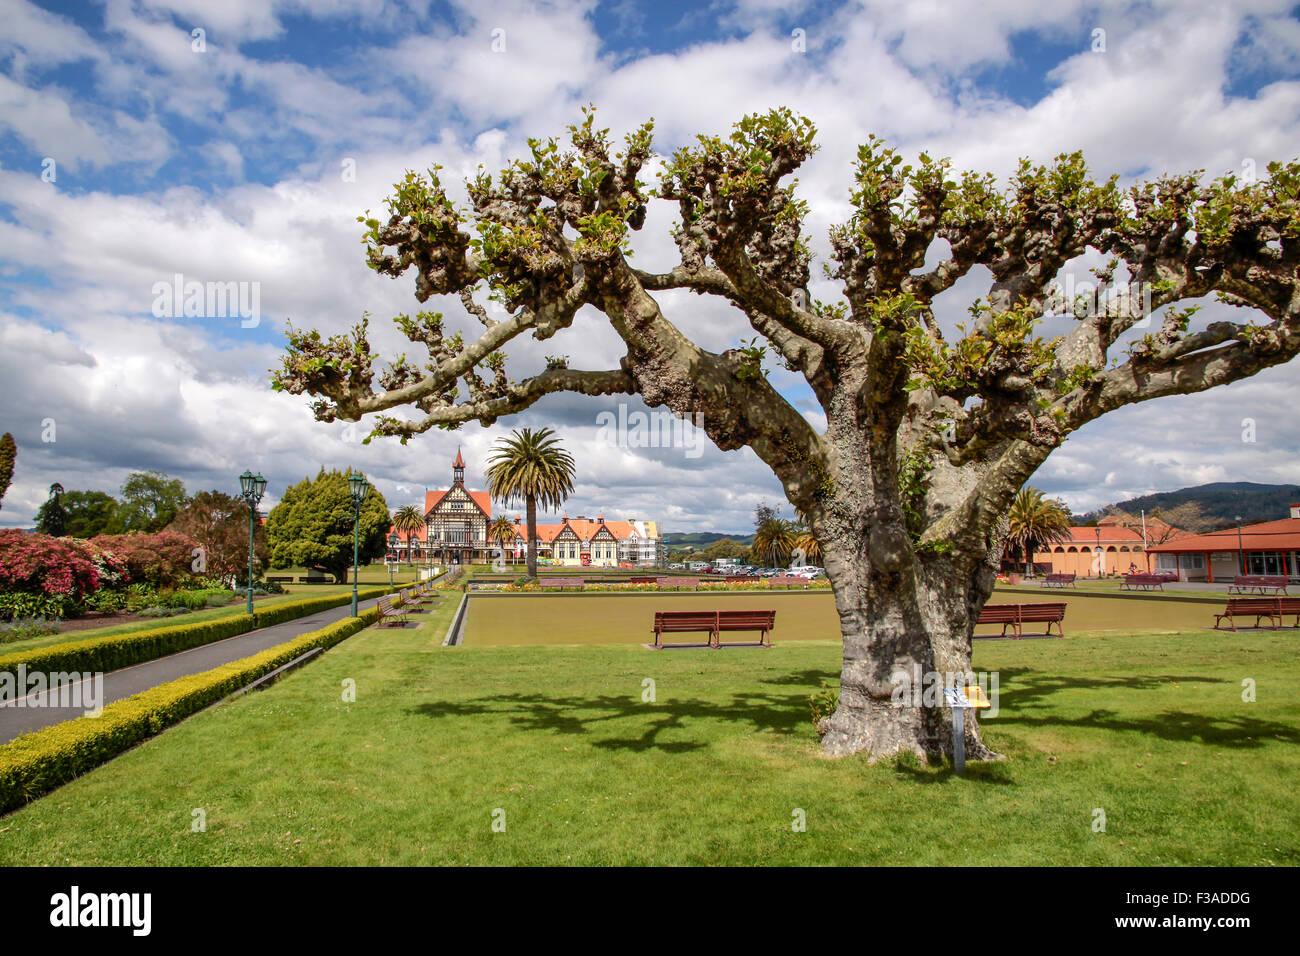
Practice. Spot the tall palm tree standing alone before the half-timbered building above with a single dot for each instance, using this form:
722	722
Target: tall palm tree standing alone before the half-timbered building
534	469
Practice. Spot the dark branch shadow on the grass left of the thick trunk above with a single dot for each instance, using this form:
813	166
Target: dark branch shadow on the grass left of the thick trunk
582	716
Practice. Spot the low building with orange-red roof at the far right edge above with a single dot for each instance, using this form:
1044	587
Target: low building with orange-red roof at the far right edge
1271	548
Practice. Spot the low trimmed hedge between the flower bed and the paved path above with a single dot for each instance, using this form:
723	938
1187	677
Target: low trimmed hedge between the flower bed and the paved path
112	652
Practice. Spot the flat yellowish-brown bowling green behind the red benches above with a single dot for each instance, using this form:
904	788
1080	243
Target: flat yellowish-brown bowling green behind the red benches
517	620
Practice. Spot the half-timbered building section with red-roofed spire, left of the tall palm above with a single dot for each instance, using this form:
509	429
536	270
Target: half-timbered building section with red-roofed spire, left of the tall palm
456	526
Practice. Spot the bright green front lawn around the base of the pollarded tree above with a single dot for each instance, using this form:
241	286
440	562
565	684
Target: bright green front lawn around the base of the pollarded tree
1151	729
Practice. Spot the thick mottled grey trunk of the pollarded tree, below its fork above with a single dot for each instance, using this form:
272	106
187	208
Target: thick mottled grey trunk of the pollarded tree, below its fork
907	637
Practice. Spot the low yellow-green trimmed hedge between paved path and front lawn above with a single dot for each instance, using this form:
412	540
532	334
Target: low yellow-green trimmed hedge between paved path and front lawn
41	762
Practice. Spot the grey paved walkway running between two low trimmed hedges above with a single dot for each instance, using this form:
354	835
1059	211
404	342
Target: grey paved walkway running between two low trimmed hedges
123	684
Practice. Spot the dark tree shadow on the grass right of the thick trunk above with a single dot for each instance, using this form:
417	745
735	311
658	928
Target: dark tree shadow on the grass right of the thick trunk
1024	704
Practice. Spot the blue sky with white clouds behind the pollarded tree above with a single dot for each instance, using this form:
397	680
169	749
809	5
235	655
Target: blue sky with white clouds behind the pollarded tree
248	158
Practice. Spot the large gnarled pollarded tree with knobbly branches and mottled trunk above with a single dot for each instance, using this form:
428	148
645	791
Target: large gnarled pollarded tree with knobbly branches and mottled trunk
929	438
